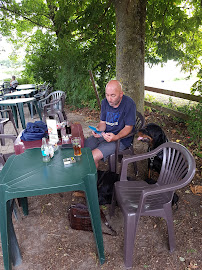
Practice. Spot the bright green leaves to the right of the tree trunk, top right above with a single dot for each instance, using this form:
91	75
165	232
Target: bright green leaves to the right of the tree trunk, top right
173	31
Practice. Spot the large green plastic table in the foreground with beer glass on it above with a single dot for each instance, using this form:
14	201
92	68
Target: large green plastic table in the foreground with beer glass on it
26	175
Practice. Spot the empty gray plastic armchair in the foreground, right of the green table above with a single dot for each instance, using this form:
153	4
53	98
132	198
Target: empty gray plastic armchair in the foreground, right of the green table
137	198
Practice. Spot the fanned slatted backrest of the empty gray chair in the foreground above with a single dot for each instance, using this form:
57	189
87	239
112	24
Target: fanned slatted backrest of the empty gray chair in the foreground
178	165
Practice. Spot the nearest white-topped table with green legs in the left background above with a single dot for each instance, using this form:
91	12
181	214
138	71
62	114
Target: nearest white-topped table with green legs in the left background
17	103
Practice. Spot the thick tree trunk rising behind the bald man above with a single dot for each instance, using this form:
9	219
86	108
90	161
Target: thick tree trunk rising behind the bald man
130	48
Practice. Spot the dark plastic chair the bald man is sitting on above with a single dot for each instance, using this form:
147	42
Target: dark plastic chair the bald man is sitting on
117	156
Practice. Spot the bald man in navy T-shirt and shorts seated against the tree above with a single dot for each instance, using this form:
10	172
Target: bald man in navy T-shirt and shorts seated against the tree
117	120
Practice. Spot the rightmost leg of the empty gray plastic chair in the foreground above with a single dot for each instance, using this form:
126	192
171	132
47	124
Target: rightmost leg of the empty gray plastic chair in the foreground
170	225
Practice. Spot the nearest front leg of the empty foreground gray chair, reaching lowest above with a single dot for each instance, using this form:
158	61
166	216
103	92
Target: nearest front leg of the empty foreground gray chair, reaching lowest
130	228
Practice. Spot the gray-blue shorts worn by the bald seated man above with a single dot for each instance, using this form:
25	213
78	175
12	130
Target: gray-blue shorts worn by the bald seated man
107	148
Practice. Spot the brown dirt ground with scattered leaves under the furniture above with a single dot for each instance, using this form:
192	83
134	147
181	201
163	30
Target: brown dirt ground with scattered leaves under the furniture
47	242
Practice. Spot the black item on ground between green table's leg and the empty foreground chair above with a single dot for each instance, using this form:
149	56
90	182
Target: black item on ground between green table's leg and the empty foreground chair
105	185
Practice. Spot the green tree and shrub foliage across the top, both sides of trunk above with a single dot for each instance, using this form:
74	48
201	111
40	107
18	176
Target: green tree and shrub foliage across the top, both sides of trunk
64	39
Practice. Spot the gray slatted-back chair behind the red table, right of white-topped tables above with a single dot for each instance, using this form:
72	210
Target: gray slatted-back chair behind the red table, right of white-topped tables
53	105
